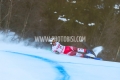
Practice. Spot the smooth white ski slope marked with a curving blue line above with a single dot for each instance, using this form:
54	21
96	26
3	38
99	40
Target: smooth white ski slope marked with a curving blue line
19	62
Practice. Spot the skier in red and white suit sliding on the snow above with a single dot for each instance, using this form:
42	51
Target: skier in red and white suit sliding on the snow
68	50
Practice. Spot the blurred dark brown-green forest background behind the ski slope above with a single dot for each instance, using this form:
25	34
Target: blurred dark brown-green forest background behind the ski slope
98	20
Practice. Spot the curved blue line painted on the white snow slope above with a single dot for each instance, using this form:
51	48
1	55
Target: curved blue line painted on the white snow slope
64	75
